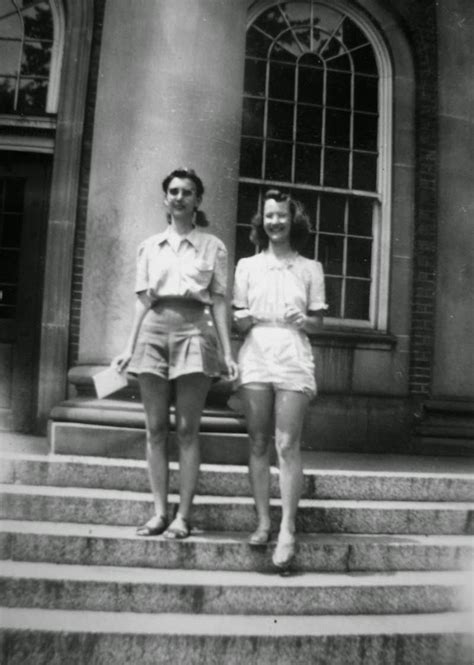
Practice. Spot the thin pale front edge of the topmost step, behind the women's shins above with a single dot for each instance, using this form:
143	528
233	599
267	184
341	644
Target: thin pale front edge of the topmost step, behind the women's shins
240	469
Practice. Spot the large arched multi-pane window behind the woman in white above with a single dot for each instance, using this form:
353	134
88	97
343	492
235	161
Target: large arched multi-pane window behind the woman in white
316	121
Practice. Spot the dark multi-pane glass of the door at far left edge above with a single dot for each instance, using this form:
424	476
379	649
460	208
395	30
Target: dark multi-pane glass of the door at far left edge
11	221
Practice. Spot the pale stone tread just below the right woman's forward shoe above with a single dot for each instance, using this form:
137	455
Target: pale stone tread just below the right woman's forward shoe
179	576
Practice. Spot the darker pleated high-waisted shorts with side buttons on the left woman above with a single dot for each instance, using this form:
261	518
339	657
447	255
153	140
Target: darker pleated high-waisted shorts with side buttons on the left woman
176	337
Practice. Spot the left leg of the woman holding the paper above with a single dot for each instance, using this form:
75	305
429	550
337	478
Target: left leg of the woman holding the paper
155	393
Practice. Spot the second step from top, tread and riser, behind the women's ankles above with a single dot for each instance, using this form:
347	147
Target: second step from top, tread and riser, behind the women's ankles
215	513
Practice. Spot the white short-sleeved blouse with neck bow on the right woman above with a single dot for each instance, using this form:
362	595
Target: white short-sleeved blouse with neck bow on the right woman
267	286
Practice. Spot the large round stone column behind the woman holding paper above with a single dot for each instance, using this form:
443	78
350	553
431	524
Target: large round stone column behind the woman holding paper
169	94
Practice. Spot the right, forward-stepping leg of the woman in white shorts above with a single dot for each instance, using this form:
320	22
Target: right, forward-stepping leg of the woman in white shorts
290	408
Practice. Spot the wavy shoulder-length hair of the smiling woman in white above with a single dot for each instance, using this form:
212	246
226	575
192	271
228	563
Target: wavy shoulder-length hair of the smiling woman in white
300	226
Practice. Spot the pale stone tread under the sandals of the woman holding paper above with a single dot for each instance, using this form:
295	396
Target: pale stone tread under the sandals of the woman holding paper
112	532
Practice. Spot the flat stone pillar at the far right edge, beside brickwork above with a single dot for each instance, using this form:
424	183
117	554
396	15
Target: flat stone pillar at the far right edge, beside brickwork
453	372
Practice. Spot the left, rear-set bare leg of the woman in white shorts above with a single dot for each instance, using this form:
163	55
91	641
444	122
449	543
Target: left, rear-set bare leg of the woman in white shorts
258	406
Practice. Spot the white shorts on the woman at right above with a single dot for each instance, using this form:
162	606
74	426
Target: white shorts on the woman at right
278	355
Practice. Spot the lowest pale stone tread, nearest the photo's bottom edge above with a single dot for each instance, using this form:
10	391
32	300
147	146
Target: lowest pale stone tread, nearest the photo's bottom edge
130	623
